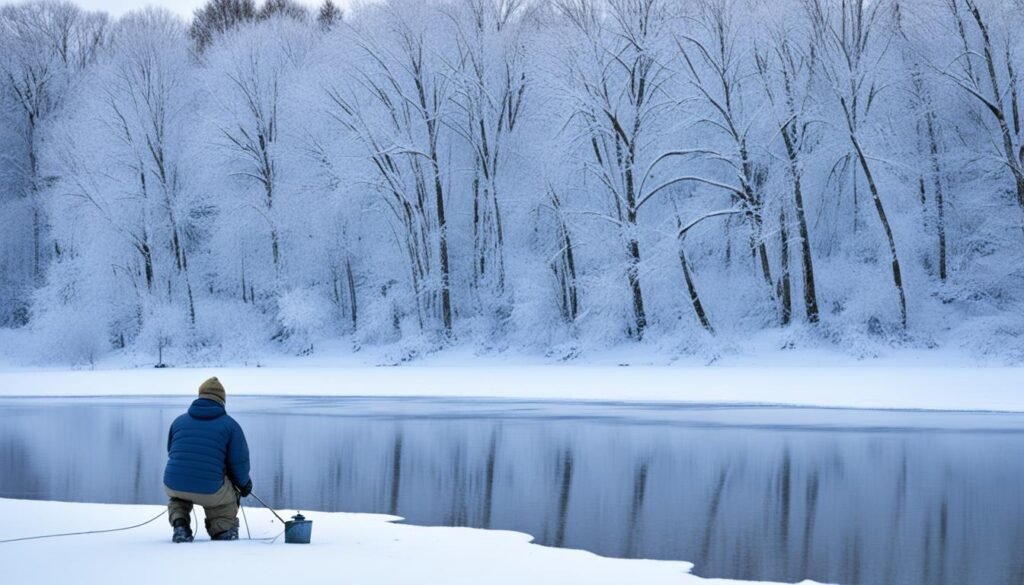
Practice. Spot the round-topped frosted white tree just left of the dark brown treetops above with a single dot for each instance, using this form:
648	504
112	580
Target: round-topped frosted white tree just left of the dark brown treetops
124	172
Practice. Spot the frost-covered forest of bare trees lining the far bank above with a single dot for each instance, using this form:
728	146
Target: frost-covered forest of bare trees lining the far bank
543	175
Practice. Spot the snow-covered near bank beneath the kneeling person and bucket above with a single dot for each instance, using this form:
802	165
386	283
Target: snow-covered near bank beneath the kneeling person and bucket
347	549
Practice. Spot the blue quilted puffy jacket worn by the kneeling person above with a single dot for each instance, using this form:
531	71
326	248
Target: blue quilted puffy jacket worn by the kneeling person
203	447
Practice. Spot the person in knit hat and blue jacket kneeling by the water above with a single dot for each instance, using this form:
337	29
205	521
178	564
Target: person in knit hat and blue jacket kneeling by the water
207	465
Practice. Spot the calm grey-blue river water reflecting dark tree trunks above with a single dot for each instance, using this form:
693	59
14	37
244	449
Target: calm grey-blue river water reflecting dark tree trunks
744	492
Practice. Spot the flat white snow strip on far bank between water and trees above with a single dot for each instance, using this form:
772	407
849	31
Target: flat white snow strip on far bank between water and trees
845	387
